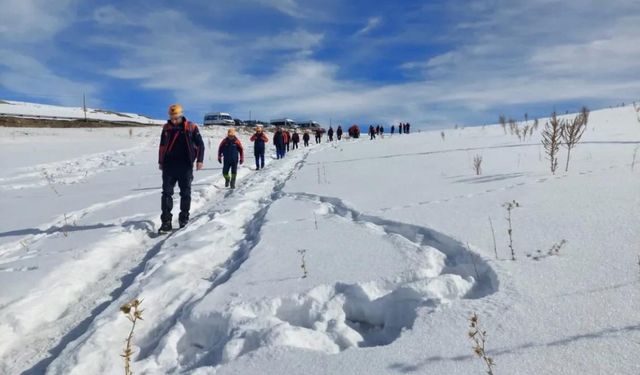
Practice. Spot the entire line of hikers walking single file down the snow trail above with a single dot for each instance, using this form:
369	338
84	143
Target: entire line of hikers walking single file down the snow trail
181	145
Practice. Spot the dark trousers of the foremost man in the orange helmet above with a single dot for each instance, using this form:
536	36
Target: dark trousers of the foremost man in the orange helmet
184	177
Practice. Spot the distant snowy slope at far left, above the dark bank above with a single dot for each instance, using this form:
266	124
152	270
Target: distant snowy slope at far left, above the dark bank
33	110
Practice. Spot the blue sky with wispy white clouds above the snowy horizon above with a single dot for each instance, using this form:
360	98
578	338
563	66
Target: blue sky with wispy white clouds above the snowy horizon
434	63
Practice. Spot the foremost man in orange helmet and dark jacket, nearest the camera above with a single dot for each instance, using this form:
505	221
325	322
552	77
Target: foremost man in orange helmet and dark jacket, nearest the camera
180	145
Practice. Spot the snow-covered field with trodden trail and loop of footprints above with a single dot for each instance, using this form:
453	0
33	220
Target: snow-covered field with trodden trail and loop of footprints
399	252
